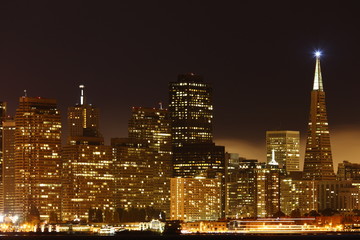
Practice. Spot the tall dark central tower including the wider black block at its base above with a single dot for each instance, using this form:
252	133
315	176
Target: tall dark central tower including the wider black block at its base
191	114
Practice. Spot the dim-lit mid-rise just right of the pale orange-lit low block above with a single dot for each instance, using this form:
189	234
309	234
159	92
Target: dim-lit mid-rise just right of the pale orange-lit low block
241	194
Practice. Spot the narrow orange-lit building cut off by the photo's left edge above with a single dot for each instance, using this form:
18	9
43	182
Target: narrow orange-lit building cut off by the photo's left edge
8	170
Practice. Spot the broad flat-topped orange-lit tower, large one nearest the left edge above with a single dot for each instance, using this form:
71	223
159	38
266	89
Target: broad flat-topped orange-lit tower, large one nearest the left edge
37	158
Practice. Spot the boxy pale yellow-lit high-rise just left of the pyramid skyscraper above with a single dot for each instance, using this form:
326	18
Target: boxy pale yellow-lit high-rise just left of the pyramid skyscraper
287	149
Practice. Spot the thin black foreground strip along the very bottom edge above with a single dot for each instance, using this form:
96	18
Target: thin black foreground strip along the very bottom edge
334	236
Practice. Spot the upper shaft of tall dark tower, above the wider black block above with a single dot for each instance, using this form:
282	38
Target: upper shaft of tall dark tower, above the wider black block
191	110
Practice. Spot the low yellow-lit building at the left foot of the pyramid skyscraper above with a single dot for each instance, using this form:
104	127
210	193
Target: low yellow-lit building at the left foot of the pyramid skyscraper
298	194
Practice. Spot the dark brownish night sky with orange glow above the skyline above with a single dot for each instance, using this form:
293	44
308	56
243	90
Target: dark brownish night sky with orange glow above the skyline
258	56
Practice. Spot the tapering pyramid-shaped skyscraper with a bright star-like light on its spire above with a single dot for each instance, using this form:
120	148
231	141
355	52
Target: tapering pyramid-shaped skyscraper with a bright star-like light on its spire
318	164
